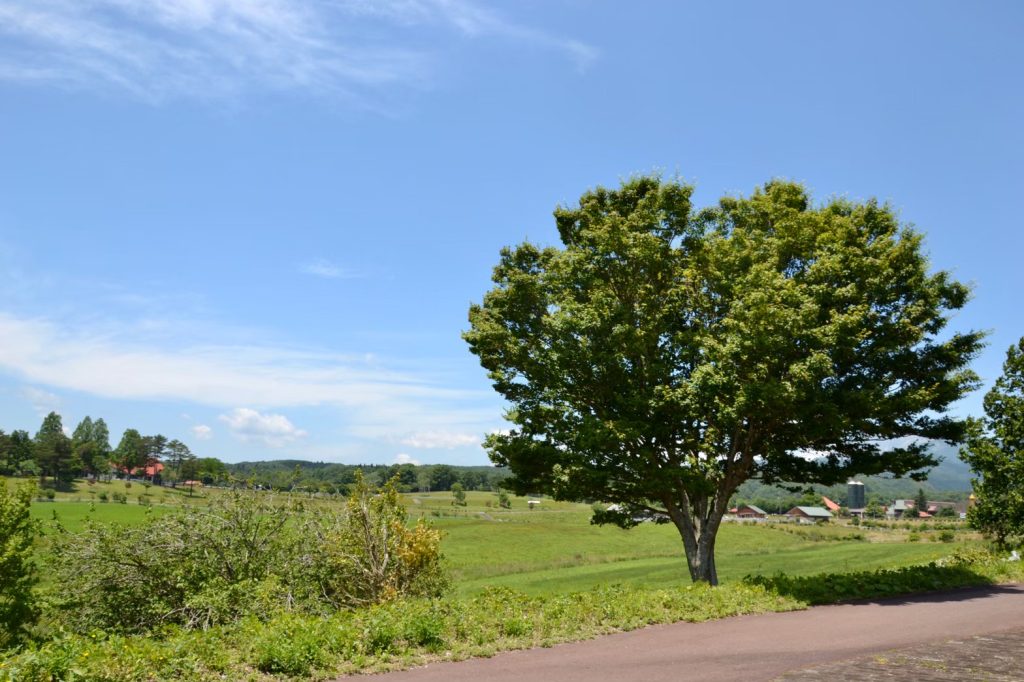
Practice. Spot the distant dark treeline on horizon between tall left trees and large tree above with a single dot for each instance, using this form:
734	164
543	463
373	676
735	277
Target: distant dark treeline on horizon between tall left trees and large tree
329	478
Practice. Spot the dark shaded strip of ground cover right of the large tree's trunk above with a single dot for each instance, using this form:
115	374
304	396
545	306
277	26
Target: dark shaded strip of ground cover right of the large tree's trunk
894	586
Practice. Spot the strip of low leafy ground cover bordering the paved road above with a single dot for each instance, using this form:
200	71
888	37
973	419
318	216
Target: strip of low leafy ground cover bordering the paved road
409	633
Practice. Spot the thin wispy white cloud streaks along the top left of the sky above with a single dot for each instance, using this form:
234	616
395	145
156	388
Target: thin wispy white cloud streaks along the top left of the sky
158	50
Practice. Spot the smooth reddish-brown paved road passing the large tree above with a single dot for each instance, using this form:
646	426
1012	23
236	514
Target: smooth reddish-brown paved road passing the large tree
750	648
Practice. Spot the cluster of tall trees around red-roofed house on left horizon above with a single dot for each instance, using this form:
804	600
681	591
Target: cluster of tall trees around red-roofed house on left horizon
88	452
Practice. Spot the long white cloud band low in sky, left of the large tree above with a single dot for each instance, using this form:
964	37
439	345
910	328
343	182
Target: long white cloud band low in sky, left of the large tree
375	402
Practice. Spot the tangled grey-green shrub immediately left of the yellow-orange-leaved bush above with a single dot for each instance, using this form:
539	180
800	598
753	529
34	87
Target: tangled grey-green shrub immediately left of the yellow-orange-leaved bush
197	568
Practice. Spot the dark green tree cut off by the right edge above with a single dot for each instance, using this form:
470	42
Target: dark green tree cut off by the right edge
996	452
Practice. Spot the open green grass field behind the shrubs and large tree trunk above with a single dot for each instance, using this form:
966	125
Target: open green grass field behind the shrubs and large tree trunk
553	548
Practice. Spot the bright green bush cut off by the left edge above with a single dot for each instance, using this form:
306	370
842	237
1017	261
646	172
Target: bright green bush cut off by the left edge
18	573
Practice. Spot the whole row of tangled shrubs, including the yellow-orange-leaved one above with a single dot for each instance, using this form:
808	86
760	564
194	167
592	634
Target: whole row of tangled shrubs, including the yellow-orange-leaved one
243	555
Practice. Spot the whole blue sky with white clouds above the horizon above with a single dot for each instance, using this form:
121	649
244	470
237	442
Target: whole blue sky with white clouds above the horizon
258	226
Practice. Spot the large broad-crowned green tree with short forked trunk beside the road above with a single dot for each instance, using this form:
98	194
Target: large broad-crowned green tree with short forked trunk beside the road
664	356
